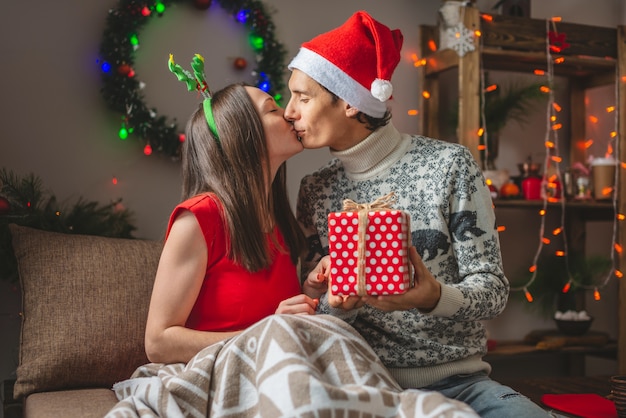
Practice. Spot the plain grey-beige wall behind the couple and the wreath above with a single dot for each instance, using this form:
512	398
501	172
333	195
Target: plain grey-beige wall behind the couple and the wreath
55	124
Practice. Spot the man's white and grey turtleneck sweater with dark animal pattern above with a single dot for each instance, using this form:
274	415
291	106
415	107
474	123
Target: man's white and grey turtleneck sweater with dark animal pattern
454	230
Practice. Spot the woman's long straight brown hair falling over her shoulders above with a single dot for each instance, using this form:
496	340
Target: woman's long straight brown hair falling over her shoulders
235	169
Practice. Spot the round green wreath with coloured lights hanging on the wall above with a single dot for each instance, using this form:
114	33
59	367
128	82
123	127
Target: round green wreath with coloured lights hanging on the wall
121	88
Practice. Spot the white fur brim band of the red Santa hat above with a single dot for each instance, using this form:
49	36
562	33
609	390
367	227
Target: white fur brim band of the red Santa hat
334	79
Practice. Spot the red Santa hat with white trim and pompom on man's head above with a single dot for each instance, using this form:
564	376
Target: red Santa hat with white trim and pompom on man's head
354	61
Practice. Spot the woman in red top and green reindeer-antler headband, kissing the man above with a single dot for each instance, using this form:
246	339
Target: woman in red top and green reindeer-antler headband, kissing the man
232	245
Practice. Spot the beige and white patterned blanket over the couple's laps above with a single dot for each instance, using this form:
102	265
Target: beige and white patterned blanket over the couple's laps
283	366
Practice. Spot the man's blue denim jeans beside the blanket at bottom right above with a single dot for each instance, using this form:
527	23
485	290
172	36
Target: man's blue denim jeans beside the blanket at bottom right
488	398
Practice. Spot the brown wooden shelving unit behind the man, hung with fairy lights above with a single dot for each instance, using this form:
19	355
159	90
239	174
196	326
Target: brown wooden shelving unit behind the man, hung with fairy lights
596	56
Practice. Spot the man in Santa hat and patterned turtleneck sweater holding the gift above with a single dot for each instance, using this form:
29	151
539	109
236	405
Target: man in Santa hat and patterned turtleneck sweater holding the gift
431	336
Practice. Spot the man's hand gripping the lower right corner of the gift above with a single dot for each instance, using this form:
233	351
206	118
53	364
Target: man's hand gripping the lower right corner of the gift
424	295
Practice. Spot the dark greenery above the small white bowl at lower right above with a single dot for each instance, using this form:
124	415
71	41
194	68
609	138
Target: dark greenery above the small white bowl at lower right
554	274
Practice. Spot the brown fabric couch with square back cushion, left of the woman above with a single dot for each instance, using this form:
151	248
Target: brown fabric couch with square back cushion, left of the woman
85	301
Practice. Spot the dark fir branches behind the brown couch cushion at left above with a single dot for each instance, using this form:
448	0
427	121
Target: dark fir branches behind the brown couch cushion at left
23	201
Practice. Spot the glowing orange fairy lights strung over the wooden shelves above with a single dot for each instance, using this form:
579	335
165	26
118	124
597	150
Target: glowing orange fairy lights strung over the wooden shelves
552	178
